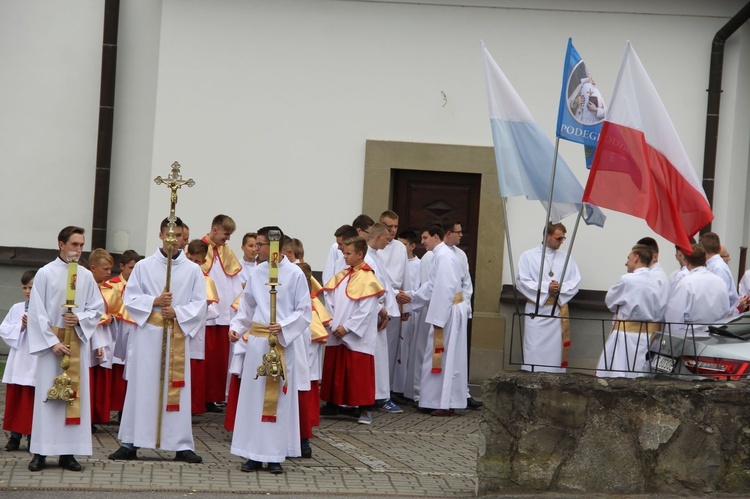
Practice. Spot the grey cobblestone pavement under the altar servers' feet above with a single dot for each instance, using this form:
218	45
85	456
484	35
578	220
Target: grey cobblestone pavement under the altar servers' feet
409	454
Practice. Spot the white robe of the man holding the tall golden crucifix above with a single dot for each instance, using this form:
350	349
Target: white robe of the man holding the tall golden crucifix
140	413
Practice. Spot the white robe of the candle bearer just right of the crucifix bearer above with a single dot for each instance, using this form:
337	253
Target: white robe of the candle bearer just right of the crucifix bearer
254	439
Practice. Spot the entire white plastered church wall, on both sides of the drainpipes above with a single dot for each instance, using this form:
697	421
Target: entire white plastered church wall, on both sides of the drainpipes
268	105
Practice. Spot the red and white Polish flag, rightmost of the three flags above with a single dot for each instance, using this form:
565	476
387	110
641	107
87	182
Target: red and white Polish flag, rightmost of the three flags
640	167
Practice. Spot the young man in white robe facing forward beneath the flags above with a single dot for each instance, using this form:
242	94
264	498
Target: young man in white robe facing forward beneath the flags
546	339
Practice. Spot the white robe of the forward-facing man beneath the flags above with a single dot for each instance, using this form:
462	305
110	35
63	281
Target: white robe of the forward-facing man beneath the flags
542	336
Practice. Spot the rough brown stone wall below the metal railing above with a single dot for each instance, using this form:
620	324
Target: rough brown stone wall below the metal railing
578	434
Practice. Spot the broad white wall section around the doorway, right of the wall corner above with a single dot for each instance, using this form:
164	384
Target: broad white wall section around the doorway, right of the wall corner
268	105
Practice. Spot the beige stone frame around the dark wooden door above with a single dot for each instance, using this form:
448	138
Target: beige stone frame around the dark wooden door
381	157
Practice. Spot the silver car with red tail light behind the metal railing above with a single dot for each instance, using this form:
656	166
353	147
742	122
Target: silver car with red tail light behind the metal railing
720	351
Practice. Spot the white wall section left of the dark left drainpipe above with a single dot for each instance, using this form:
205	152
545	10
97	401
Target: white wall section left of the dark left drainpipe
50	55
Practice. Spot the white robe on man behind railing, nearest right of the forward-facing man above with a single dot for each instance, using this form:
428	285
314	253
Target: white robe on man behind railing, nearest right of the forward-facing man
635	297
